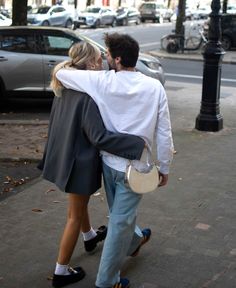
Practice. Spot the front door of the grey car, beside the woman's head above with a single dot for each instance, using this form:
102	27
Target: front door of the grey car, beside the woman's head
56	48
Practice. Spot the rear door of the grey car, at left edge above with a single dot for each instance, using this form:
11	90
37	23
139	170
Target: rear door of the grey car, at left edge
21	68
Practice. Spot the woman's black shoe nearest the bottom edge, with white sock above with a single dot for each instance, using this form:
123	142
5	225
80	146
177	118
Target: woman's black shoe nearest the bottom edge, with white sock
63	280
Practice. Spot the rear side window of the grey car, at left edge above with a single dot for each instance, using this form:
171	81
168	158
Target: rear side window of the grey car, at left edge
19	44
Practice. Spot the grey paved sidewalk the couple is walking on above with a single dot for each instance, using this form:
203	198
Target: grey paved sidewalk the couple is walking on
192	219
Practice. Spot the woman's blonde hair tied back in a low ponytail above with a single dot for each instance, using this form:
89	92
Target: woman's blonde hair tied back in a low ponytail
83	55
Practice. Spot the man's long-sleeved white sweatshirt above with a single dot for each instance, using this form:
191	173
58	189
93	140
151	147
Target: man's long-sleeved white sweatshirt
129	102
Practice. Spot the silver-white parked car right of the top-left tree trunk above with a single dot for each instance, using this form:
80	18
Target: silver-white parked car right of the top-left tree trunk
50	16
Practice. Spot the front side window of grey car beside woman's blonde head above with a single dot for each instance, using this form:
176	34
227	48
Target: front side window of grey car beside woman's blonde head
56	45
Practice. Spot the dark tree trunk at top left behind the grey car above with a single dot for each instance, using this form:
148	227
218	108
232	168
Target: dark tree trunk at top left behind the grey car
19	12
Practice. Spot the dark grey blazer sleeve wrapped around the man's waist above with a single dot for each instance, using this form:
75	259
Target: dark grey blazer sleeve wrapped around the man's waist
123	145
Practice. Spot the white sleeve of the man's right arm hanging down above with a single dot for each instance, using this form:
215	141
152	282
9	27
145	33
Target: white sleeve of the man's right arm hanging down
164	139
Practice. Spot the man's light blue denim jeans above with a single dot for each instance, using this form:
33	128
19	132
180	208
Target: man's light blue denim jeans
123	236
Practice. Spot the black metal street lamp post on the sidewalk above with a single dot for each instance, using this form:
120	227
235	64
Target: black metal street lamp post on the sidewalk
209	118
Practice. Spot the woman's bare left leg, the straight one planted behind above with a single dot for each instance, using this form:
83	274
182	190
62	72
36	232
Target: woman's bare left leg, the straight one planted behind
77	213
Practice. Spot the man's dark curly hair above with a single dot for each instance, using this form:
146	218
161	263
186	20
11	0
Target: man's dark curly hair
123	46
